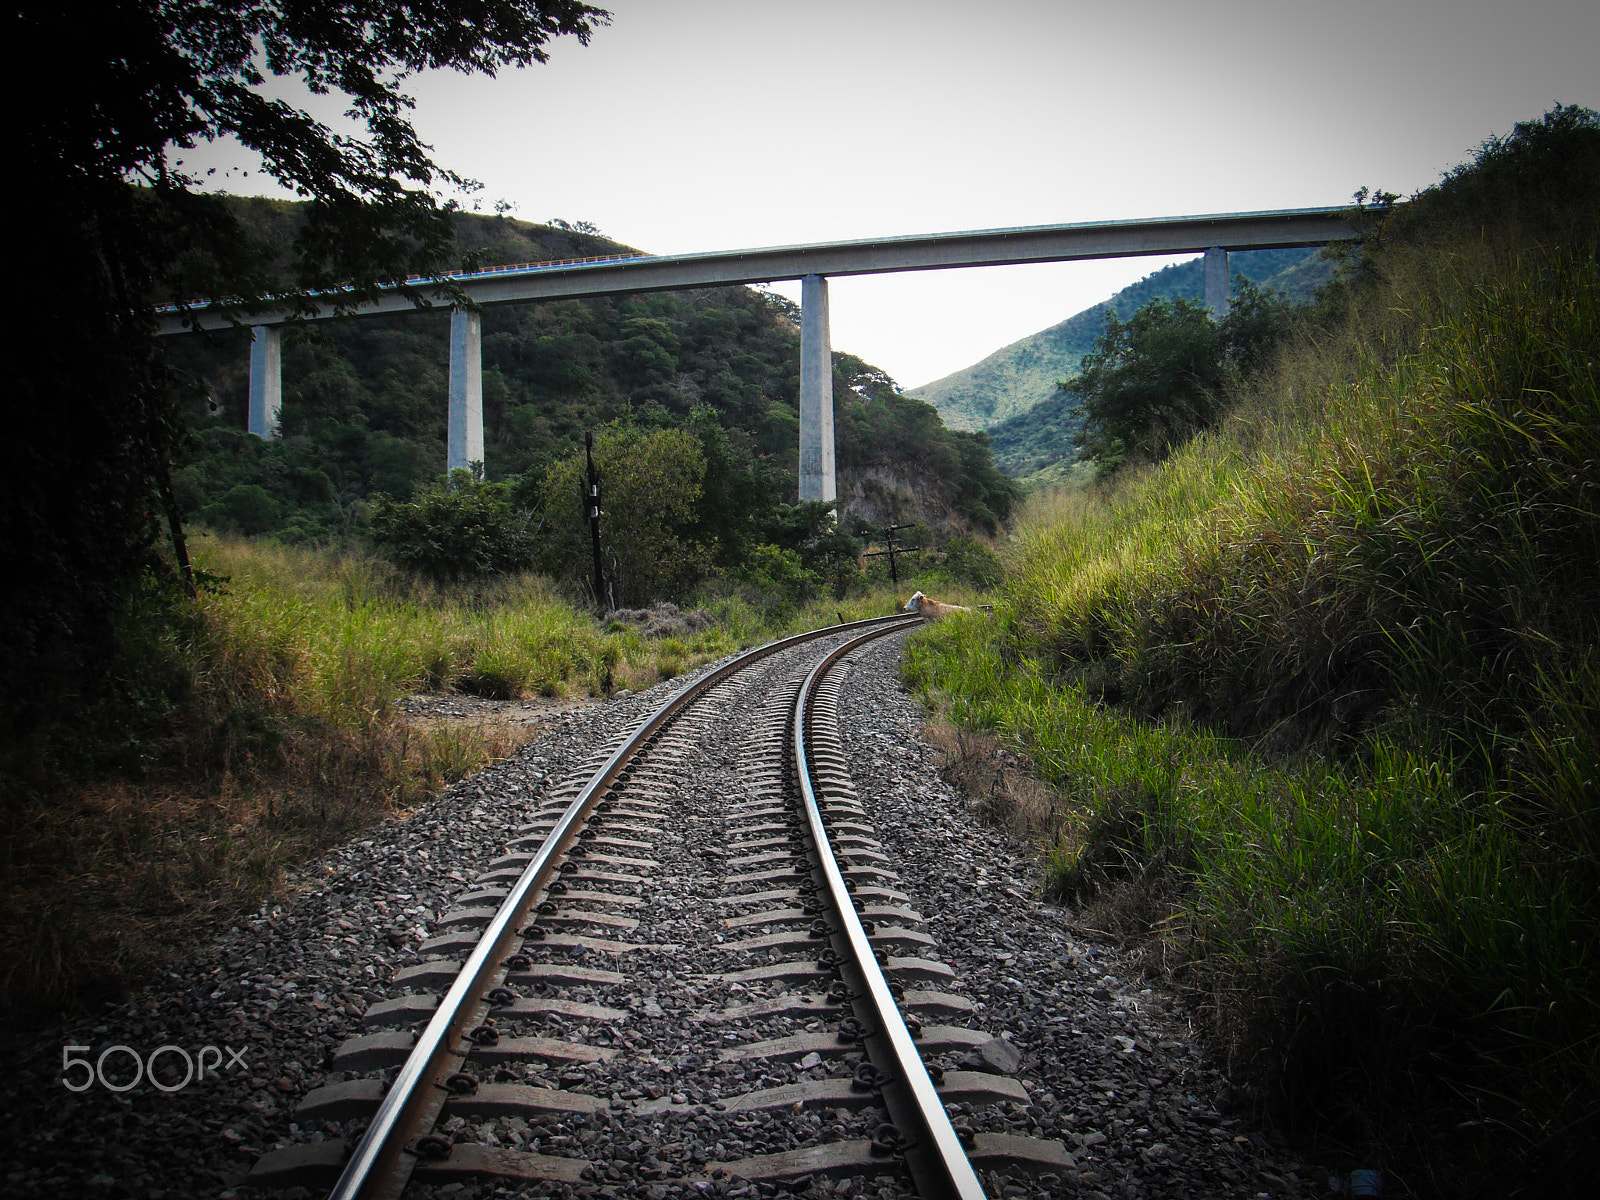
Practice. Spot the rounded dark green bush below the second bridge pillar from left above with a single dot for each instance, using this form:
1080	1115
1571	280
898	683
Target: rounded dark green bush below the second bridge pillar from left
457	530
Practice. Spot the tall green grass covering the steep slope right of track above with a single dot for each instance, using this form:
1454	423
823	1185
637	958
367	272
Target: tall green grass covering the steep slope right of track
1319	697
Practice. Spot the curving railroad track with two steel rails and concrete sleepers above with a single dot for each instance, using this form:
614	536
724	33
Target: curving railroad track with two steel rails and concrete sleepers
692	967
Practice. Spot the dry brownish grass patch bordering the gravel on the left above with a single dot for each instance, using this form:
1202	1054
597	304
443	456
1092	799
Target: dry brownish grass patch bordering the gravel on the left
106	881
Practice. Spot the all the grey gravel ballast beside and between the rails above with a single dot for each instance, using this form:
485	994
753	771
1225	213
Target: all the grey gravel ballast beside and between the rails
1111	1063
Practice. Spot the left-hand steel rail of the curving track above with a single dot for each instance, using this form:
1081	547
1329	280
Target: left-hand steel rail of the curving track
382	1162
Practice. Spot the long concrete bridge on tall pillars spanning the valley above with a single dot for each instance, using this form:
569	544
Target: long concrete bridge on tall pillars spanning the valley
812	265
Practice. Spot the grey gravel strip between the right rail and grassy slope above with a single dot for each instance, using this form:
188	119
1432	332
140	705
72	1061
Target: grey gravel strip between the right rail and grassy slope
1114	1063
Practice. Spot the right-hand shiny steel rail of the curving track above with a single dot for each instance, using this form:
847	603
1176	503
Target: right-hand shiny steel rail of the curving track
938	1164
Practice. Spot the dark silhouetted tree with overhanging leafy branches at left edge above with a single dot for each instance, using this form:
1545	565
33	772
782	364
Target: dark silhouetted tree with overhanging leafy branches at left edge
119	226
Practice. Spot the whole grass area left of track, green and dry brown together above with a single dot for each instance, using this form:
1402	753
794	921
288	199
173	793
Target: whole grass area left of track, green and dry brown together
268	727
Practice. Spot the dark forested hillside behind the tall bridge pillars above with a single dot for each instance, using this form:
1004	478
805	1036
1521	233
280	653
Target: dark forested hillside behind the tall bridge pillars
366	401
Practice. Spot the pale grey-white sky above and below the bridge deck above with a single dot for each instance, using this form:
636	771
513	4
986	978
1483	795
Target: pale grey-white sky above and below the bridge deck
692	126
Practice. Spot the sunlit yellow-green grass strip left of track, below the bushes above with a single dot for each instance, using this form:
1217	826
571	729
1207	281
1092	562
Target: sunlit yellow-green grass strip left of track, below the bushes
343	638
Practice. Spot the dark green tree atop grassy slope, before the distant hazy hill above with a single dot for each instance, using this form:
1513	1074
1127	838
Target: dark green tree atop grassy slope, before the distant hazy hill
1154	382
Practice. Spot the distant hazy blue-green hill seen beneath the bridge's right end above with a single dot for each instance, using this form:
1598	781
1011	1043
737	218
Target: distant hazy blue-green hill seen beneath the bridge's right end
1022	375
